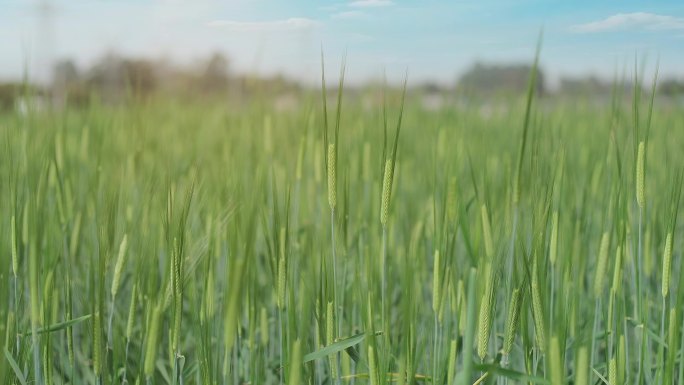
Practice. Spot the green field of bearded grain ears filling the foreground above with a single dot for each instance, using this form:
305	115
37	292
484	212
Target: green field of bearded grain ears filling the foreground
164	242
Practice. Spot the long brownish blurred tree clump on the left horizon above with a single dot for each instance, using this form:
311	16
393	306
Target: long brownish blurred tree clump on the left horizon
115	78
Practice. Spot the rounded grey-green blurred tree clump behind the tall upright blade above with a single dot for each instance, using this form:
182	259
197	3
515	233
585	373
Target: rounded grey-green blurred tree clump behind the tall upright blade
494	79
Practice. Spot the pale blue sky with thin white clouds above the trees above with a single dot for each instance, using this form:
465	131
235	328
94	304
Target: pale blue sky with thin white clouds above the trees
434	41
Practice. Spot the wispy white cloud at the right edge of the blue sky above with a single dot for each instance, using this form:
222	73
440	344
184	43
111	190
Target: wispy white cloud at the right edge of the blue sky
635	20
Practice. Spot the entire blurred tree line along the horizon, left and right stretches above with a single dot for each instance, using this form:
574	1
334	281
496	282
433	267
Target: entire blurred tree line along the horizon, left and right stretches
115	78
